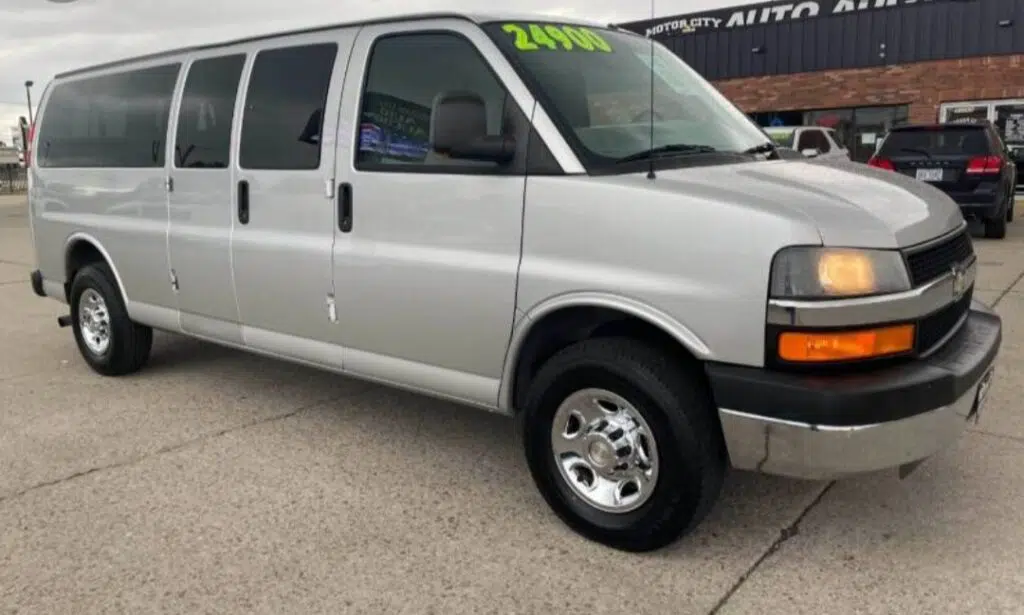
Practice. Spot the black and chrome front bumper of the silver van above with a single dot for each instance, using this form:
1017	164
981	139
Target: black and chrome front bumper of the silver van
814	427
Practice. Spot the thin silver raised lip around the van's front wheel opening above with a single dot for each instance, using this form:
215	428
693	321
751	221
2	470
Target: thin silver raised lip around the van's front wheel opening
628	306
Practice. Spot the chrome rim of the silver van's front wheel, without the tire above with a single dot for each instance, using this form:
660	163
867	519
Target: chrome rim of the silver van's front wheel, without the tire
605	451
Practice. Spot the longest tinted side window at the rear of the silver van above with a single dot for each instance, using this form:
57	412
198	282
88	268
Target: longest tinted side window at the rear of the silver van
111	121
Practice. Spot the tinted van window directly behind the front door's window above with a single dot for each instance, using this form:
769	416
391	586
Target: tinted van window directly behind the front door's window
284	113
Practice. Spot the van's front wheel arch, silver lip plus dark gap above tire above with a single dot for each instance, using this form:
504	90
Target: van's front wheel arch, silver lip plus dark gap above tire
560	322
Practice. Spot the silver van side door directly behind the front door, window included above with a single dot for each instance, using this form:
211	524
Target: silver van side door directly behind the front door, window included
285	215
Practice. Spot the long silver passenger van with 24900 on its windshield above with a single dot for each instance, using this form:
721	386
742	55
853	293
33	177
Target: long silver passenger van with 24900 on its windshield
558	222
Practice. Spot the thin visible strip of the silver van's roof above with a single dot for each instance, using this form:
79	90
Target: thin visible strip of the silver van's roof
475	18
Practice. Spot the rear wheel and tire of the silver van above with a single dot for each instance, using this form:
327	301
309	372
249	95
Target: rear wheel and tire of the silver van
109	341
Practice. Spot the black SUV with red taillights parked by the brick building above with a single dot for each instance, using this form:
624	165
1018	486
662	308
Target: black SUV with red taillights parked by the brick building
968	162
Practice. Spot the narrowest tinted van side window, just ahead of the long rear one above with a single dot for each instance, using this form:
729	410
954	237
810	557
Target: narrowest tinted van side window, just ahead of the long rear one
204	134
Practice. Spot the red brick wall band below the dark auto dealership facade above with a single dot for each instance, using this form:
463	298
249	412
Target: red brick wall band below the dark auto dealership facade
923	85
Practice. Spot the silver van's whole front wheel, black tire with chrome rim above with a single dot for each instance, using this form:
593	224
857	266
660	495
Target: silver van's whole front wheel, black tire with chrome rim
623	444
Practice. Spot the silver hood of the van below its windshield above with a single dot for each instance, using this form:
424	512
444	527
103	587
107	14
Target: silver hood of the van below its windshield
850	204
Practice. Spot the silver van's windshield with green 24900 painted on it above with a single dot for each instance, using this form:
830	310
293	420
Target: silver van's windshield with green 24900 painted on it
596	84
